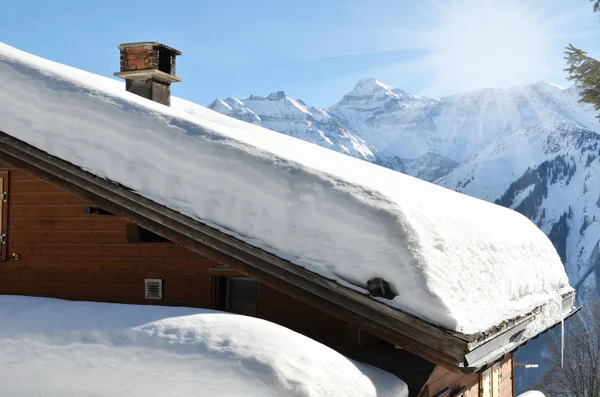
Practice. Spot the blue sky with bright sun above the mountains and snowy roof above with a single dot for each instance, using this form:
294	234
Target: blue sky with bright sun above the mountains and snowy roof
315	49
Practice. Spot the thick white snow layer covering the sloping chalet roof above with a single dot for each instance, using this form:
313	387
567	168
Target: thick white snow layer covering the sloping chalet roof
455	261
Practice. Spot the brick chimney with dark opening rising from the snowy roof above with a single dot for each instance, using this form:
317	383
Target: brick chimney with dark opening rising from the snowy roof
149	69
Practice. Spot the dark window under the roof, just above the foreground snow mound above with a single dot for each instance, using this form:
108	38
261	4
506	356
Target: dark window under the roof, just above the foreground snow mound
237	295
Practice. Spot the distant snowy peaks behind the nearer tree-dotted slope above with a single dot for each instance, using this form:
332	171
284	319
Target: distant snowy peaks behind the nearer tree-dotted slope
424	137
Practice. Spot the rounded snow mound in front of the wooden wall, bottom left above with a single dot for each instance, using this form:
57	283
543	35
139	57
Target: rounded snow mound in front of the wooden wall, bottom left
55	348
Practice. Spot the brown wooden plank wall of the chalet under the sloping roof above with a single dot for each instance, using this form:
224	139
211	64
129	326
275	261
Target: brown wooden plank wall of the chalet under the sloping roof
64	253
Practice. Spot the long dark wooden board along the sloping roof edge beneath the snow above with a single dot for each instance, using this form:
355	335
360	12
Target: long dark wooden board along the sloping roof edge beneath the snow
415	335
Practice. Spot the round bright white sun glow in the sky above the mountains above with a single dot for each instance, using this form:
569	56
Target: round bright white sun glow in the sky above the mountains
490	42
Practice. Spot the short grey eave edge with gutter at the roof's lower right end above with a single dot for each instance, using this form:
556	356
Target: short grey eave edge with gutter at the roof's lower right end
485	352
